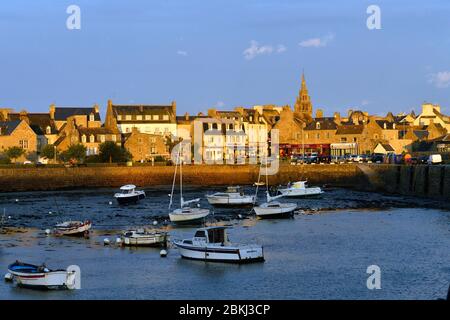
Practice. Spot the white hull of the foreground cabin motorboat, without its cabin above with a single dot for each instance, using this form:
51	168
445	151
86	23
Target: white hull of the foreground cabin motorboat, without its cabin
221	254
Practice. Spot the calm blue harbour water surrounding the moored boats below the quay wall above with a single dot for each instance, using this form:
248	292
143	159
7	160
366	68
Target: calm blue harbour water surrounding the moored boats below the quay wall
319	256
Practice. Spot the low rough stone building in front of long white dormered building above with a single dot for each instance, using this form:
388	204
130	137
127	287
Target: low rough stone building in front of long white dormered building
144	146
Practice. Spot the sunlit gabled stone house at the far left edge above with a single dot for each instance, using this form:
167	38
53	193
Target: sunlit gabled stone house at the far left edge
18	133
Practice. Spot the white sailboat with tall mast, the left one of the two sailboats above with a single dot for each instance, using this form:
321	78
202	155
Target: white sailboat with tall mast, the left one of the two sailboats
186	213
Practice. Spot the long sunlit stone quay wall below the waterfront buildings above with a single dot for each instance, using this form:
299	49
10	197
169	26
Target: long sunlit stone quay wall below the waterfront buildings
418	180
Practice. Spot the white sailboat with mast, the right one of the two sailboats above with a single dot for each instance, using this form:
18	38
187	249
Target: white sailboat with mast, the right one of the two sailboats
271	208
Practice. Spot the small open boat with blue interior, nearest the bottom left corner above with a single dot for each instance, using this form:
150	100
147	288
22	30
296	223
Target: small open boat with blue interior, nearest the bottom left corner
40	277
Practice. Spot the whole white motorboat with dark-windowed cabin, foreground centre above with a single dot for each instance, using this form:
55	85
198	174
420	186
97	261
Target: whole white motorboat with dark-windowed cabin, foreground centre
212	244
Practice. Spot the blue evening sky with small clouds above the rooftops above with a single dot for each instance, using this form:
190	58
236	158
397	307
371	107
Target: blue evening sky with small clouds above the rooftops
222	54
